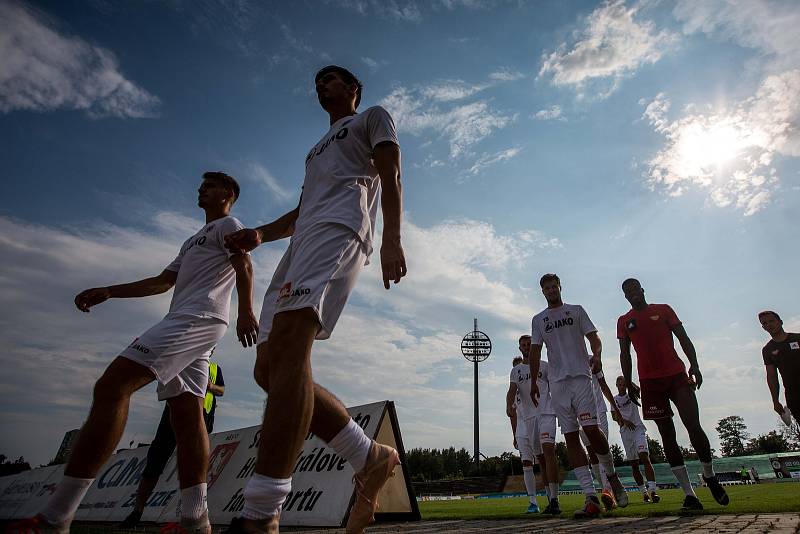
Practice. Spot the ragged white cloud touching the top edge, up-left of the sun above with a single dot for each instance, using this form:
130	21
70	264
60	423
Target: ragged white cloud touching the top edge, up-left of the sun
611	45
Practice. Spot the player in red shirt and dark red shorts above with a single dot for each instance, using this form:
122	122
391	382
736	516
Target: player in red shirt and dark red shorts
663	378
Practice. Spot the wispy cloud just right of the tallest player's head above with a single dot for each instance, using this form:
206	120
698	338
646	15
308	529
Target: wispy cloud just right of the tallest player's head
462	125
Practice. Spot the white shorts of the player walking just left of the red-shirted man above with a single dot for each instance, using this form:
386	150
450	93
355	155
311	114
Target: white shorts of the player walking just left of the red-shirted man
574	404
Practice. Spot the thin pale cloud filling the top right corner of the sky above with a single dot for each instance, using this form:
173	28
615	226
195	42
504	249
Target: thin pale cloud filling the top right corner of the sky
767	26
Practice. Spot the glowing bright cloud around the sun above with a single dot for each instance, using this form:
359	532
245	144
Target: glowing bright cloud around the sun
729	152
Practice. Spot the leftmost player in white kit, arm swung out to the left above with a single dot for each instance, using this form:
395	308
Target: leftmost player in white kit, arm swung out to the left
174	353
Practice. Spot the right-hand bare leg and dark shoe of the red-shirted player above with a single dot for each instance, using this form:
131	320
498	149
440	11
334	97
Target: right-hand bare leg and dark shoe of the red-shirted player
682	395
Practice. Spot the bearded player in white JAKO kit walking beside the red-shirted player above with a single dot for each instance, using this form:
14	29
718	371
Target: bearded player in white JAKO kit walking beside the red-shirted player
562	327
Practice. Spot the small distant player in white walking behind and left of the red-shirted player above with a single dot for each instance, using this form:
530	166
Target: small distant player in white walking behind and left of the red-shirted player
634	439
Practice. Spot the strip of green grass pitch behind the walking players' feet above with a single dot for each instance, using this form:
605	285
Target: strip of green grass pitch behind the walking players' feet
759	498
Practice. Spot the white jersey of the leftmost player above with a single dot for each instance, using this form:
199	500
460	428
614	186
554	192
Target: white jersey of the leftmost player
205	274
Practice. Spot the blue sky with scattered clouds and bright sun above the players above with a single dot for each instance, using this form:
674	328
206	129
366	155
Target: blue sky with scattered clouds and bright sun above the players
599	141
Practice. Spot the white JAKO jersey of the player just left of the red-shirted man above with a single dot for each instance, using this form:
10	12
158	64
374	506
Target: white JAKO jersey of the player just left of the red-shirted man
562	330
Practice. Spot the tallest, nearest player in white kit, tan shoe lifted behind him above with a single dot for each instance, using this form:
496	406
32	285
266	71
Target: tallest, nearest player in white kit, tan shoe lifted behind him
356	162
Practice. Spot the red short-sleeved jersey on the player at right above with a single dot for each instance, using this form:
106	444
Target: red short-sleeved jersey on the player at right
650	331
